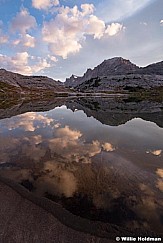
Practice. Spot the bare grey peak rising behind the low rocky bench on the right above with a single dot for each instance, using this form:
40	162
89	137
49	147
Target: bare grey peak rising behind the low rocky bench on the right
115	67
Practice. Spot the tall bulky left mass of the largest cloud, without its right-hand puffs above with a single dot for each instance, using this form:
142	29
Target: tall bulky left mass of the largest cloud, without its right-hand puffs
63	34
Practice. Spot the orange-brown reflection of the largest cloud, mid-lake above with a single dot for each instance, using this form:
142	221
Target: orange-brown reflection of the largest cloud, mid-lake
69	145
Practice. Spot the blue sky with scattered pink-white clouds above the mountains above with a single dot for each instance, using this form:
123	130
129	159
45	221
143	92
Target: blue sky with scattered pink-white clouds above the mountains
58	38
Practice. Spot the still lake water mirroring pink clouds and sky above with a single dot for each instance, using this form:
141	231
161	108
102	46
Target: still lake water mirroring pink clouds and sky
102	164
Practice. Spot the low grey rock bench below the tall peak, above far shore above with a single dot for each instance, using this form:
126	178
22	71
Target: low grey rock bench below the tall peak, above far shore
129	82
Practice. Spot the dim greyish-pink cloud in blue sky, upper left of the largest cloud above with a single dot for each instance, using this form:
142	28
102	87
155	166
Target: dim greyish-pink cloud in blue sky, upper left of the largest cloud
23	22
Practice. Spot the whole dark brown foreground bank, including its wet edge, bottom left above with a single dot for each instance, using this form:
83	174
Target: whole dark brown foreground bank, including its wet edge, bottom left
26	218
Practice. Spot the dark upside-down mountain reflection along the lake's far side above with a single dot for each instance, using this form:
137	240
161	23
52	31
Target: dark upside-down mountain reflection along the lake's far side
109	111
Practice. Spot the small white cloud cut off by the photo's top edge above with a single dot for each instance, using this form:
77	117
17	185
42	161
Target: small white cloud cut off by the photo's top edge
44	4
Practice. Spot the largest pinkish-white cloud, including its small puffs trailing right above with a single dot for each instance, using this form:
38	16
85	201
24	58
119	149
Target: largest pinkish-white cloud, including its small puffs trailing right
67	31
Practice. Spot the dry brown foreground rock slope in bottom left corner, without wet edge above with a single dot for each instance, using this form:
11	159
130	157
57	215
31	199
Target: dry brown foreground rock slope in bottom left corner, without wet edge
22	220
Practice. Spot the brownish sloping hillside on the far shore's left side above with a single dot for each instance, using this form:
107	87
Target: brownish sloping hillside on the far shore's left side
12	83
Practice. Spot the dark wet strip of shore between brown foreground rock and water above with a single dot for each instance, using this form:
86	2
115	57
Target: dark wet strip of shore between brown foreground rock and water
89	228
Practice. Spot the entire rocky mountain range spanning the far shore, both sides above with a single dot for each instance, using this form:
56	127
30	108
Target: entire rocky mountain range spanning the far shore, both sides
113	75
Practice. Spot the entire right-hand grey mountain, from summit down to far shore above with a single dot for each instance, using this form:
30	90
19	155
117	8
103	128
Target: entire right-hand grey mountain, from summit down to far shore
118	74
